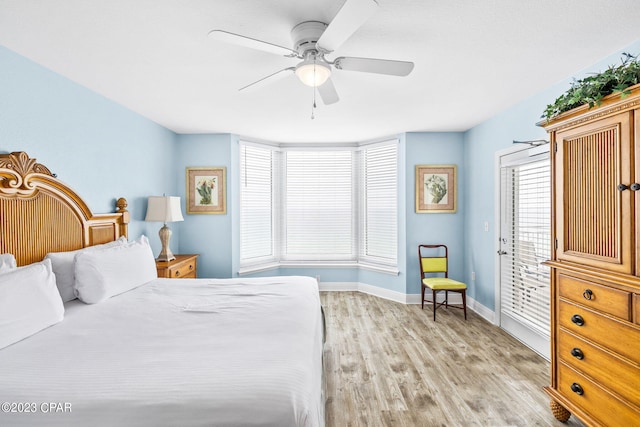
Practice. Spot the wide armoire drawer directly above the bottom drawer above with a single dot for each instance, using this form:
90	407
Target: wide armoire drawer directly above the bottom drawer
620	375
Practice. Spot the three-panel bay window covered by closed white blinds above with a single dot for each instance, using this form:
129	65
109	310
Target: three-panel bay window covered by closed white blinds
327	204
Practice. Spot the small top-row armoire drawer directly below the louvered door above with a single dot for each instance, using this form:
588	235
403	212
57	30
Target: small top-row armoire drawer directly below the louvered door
600	297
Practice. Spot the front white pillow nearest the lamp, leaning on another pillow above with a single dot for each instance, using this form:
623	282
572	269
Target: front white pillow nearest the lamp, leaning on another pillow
104	273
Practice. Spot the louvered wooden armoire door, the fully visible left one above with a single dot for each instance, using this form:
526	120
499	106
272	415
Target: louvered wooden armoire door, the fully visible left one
594	218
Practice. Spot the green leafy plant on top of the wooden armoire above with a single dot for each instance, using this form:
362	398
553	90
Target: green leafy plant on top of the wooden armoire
591	89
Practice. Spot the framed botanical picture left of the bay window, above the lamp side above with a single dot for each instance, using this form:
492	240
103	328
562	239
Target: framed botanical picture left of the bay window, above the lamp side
207	190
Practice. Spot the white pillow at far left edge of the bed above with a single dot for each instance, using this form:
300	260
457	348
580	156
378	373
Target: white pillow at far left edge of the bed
29	302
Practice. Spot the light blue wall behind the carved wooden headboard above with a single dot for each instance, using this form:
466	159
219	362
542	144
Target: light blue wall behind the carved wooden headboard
99	148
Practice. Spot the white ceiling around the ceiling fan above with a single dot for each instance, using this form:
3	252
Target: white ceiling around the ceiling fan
473	59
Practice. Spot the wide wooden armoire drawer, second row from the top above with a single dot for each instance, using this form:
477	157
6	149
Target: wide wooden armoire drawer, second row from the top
617	335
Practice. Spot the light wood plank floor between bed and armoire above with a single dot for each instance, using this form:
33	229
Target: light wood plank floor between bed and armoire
390	364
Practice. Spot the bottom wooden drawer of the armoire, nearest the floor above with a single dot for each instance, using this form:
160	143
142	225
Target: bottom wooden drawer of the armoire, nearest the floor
594	400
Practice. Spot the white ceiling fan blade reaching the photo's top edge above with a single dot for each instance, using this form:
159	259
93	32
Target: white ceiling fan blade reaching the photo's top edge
349	18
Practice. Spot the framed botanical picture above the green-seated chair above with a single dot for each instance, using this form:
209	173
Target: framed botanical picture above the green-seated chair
436	188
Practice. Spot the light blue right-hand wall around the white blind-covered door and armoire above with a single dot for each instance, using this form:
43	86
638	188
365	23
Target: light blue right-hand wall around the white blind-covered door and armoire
480	145
